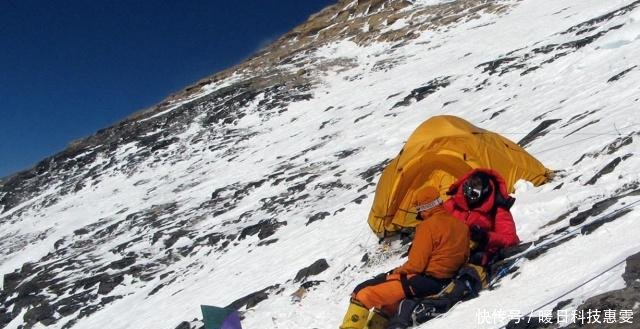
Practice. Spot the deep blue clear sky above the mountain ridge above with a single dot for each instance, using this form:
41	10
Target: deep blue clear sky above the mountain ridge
69	68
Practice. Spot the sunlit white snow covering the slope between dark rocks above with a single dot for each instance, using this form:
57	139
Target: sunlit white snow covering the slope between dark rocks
358	105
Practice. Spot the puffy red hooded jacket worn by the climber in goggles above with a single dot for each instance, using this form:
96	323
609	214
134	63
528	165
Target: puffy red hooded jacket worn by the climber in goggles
492	215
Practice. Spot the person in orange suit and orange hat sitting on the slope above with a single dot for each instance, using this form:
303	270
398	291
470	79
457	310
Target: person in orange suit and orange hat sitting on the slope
439	248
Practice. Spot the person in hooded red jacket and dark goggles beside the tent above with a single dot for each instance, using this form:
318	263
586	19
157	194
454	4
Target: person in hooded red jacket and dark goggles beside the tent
481	201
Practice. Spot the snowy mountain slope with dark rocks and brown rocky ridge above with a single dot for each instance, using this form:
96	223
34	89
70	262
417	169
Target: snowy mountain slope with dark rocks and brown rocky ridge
231	187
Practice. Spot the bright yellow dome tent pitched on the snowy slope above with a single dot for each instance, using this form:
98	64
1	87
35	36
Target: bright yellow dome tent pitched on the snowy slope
439	151
